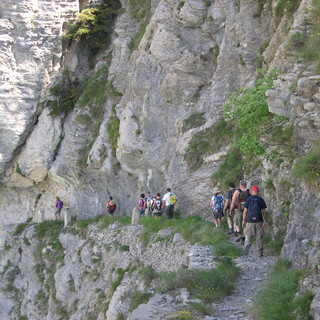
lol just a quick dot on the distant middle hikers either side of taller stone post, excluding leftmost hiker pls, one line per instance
(151, 204)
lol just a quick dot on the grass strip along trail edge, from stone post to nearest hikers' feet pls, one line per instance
(194, 230)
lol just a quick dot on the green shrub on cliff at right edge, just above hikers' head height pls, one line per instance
(308, 167)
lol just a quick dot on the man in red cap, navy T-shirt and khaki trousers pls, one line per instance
(254, 220)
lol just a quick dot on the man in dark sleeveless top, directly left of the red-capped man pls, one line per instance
(237, 207)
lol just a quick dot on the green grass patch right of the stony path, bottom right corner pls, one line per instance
(276, 300)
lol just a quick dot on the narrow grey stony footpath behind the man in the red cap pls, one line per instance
(254, 271)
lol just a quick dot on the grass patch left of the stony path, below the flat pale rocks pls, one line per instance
(207, 285)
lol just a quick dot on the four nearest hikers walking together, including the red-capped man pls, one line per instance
(245, 210)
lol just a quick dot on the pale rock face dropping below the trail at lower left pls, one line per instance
(80, 274)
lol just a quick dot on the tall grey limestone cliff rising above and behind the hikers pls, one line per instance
(165, 63)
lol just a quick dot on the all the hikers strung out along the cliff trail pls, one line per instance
(244, 209)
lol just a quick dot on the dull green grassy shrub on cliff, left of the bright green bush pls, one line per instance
(207, 141)
